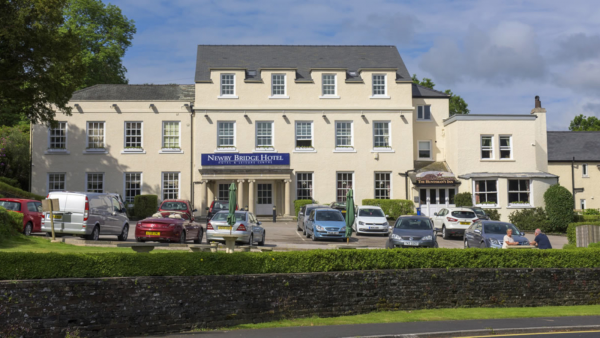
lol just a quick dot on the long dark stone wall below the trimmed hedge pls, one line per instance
(132, 306)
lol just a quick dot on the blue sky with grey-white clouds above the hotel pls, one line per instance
(497, 55)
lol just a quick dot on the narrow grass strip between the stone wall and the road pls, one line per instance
(434, 315)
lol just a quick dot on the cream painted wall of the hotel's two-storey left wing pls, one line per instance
(113, 164)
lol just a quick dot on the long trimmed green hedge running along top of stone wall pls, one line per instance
(26, 265)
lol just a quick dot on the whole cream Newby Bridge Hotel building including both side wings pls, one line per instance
(294, 122)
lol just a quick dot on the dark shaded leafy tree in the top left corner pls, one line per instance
(40, 63)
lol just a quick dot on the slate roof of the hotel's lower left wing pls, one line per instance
(126, 92)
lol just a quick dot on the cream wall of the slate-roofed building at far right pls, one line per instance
(590, 184)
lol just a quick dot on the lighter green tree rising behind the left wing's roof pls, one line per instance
(105, 34)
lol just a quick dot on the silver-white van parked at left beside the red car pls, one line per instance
(88, 214)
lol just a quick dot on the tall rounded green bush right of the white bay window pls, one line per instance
(559, 208)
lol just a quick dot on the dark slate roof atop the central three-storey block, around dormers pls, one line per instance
(302, 58)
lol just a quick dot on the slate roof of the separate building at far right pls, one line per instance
(583, 145)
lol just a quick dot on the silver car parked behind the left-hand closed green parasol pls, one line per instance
(246, 226)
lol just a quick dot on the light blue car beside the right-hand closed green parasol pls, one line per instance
(325, 224)
